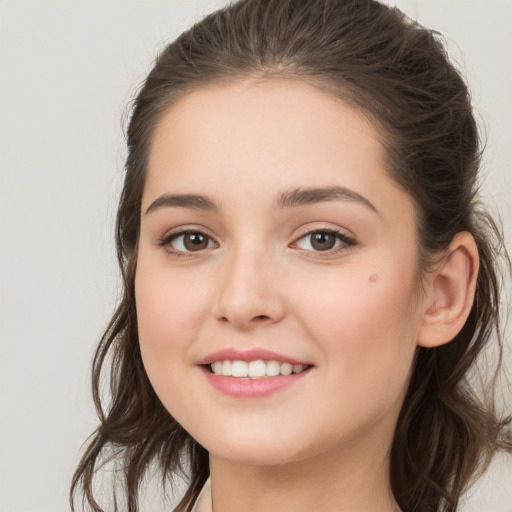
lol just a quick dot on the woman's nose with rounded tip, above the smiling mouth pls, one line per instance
(249, 293)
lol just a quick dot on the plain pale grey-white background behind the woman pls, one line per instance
(67, 71)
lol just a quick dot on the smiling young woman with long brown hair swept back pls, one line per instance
(308, 274)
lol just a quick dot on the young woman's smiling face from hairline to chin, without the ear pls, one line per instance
(273, 241)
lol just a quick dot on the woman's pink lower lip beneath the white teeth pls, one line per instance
(251, 388)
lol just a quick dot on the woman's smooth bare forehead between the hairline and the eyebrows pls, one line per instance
(249, 136)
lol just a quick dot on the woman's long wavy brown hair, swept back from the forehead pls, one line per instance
(398, 74)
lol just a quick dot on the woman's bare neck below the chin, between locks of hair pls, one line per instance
(328, 482)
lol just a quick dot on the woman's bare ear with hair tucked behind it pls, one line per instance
(450, 291)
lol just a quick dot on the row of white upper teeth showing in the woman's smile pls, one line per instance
(255, 369)
